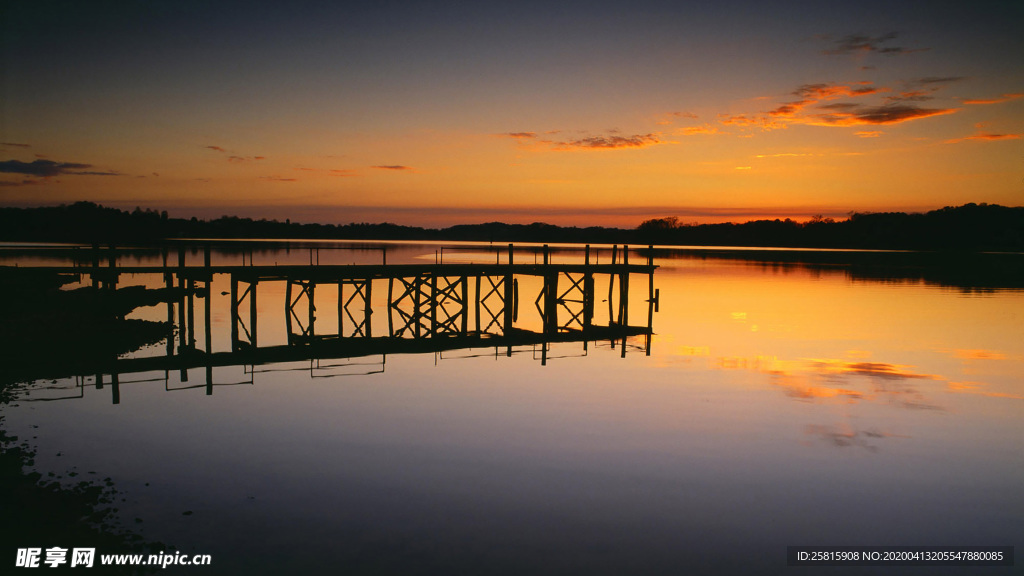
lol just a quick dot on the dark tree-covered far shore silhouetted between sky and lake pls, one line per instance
(971, 228)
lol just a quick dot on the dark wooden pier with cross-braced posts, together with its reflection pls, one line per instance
(430, 309)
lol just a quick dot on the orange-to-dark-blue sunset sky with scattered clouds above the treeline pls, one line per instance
(571, 113)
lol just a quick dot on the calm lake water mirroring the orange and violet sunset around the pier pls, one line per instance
(780, 405)
